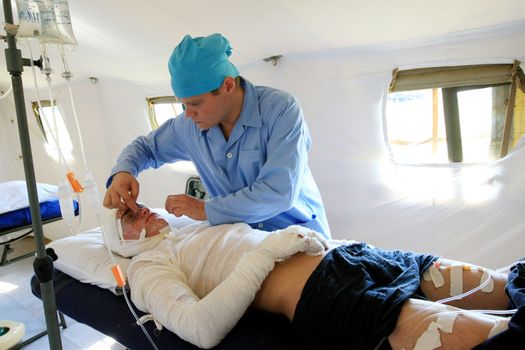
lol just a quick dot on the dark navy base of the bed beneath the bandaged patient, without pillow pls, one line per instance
(108, 313)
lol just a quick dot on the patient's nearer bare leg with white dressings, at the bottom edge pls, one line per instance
(427, 325)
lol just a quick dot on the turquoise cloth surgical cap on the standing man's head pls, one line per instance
(199, 65)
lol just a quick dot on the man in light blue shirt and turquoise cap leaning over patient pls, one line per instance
(249, 144)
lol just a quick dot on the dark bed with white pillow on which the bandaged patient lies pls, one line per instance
(86, 292)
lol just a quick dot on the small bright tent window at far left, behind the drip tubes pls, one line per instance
(51, 123)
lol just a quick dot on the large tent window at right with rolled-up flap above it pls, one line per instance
(465, 114)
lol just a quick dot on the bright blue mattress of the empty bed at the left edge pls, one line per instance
(22, 217)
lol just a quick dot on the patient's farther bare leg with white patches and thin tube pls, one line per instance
(457, 278)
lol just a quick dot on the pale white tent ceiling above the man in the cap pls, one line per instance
(132, 39)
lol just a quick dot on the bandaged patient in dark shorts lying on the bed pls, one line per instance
(199, 281)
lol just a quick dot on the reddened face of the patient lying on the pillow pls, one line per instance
(133, 223)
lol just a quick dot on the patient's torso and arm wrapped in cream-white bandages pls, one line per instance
(200, 280)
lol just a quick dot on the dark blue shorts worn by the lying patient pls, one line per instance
(353, 298)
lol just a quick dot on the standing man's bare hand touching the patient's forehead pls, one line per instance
(123, 193)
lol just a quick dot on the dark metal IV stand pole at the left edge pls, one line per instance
(43, 264)
